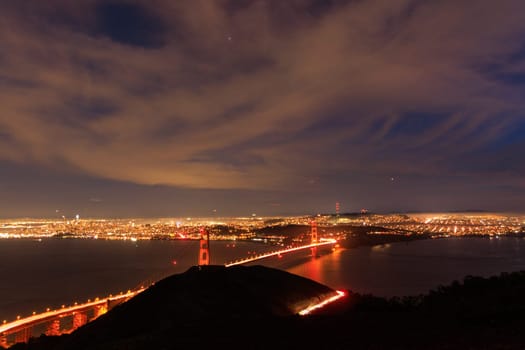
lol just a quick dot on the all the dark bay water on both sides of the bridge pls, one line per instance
(36, 275)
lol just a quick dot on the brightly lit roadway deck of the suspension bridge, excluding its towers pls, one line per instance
(22, 324)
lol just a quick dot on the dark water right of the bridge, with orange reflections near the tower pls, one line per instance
(415, 267)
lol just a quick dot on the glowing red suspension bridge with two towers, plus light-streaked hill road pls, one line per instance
(67, 319)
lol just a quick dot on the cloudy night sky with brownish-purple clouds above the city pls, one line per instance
(230, 107)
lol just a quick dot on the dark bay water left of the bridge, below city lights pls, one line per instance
(36, 275)
